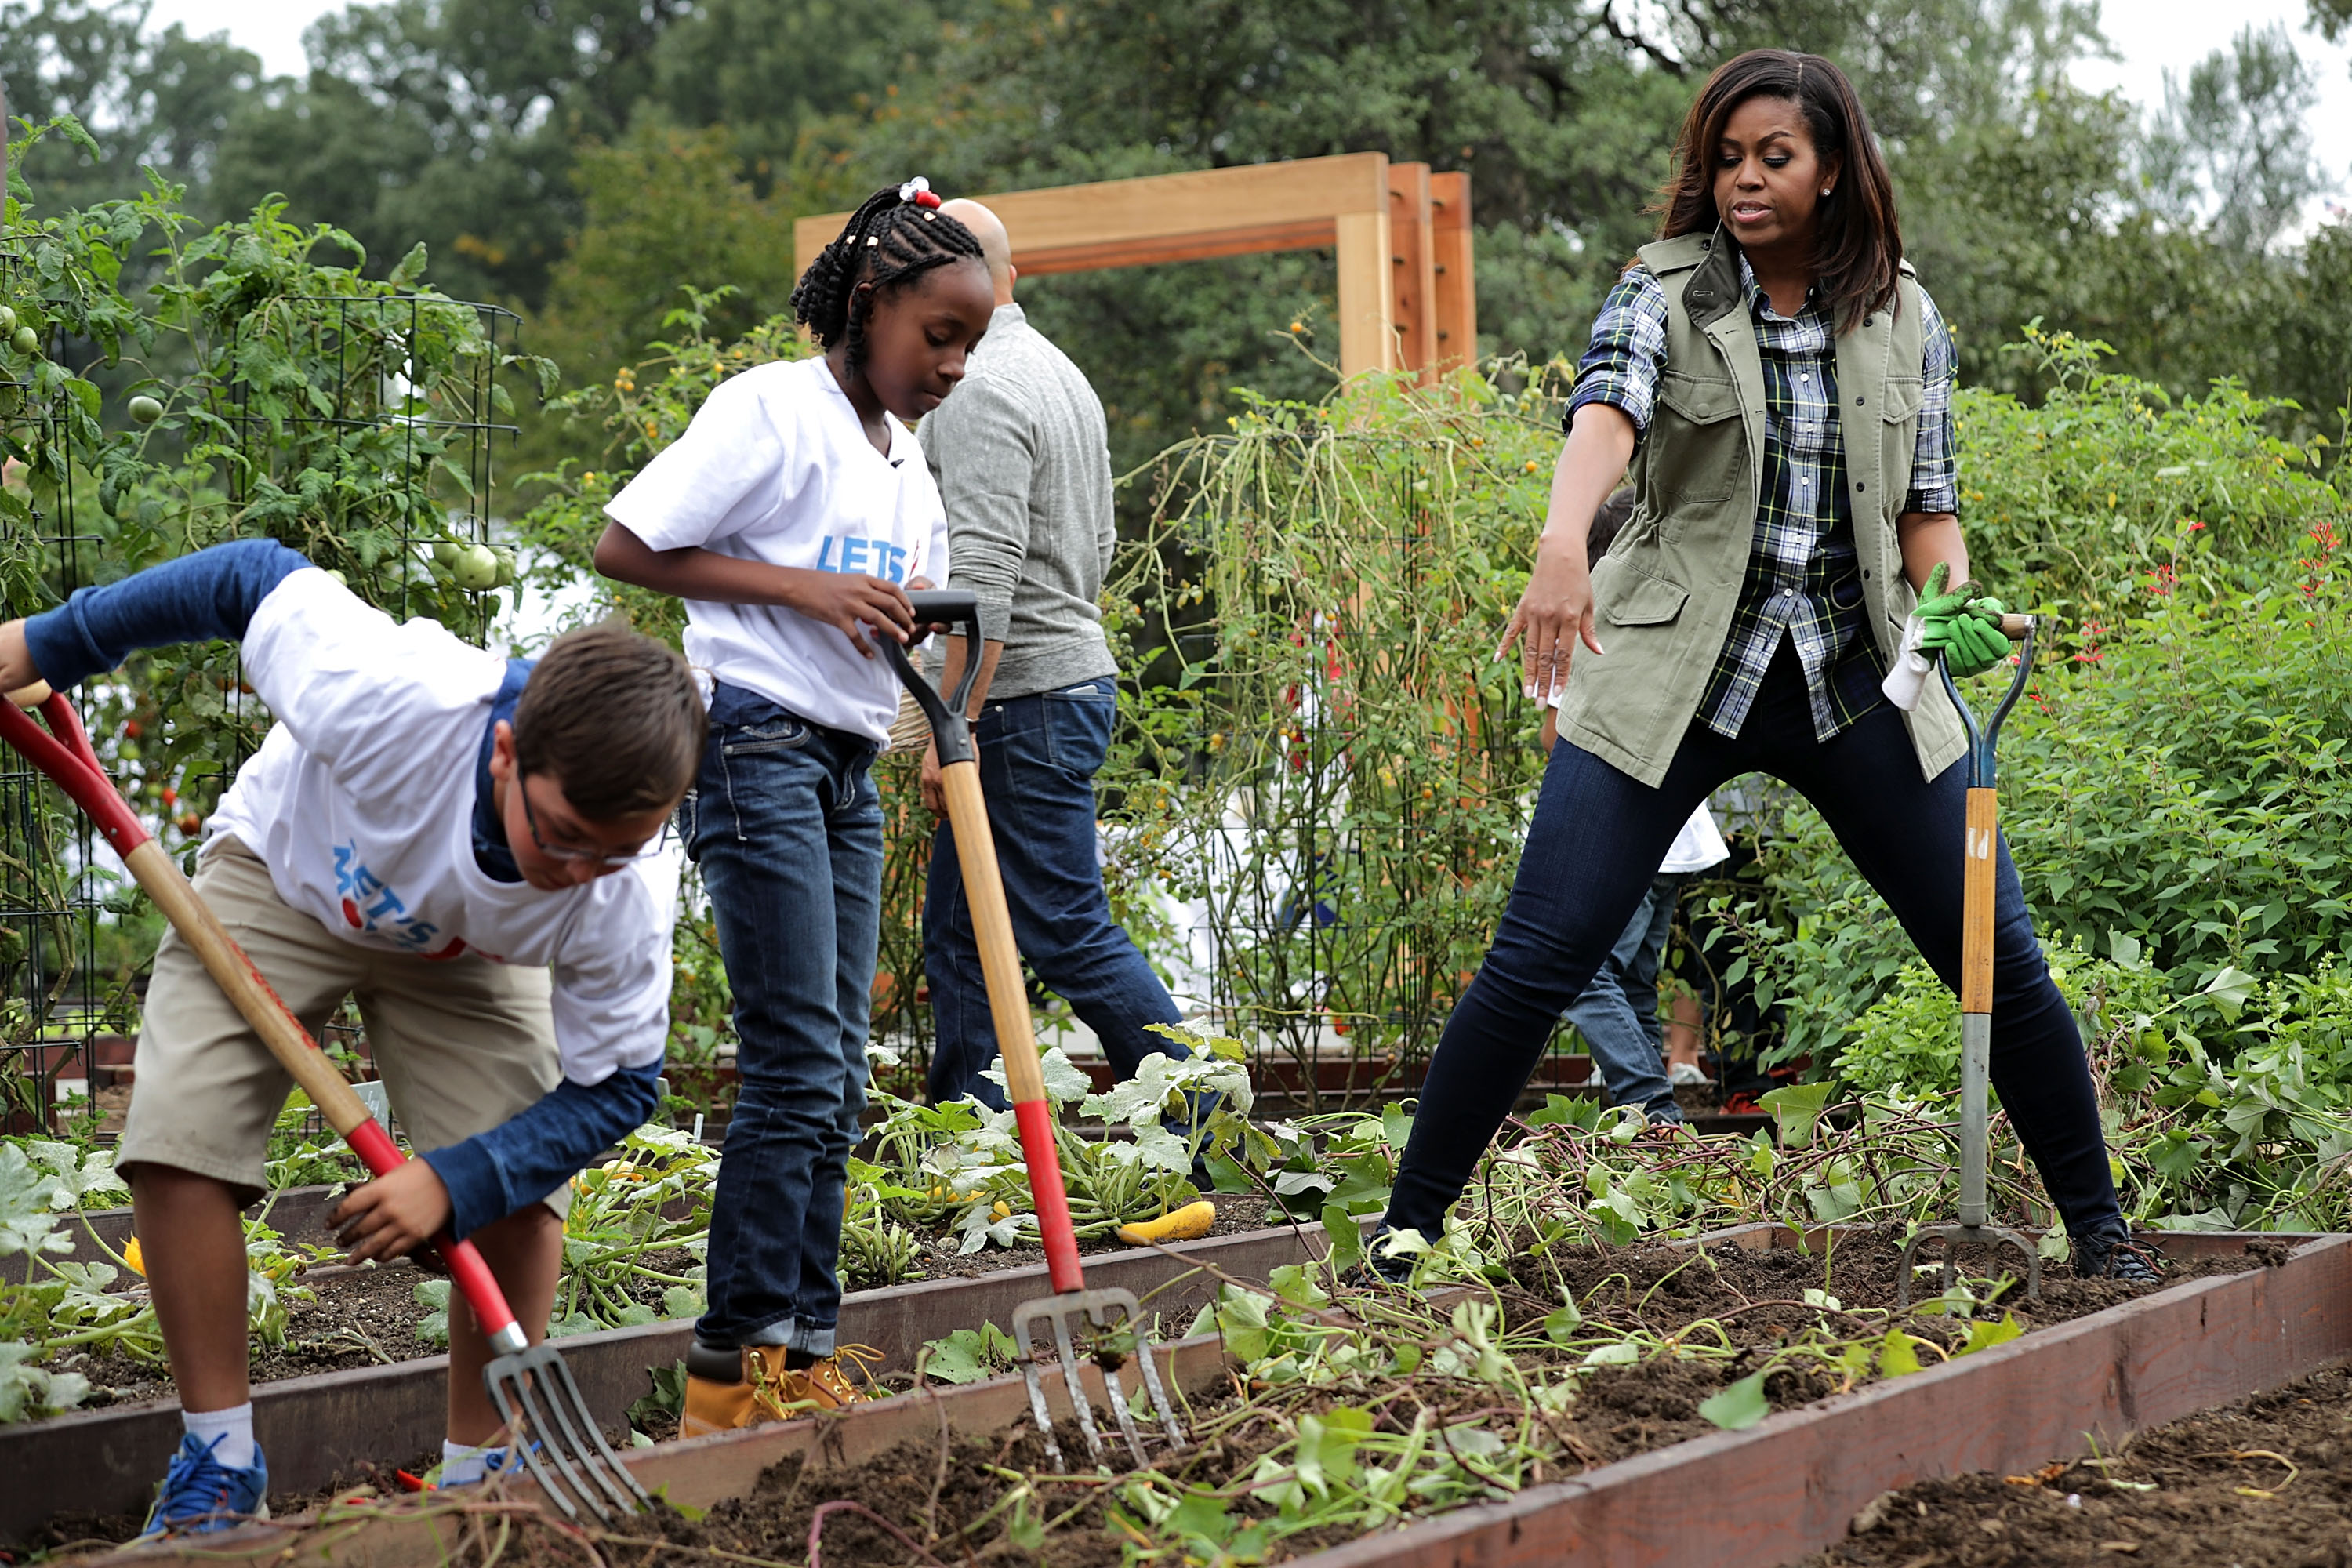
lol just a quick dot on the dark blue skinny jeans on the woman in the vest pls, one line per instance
(1591, 855)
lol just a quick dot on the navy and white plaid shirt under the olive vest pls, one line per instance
(1803, 575)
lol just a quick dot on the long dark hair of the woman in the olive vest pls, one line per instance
(1859, 241)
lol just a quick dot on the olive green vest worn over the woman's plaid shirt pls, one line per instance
(1666, 591)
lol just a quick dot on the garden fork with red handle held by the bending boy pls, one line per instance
(533, 1388)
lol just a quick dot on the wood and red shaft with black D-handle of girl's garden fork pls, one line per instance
(991, 920)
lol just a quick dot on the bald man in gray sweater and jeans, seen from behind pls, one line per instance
(1024, 467)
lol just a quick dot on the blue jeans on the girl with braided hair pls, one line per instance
(787, 826)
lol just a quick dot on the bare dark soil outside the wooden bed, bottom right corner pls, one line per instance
(2259, 1485)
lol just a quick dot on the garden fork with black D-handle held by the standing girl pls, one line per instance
(1116, 1318)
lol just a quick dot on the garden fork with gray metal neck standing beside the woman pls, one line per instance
(1977, 991)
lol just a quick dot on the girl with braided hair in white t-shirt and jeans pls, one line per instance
(791, 518)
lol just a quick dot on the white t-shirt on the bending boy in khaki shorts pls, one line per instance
(361, 803)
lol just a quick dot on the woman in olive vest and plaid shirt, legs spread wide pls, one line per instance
(1782, 391)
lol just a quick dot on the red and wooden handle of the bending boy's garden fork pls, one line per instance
(67, 758)
